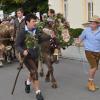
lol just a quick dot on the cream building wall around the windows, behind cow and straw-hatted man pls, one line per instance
(77, 10)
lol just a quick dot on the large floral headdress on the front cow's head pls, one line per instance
(58, 29)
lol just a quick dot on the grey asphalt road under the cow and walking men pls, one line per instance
(70, 75)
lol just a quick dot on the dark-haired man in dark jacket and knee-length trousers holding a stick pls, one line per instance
(29, 52)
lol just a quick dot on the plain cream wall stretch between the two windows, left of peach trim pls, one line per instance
(75, 13)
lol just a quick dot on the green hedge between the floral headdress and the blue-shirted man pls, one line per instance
(75, 33)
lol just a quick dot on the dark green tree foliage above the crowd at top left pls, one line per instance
(28, 5)
